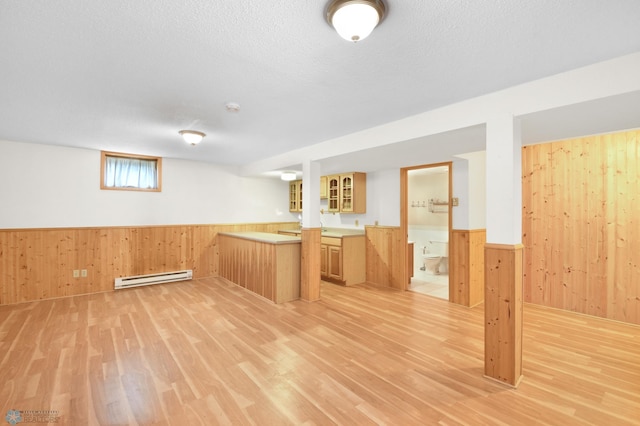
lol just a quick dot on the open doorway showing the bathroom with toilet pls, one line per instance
(427, 220)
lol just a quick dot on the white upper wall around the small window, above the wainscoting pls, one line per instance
(50, 186)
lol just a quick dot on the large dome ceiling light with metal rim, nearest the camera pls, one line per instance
(354, 20)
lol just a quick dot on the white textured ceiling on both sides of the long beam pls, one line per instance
(127, 75)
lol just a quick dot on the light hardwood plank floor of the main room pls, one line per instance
(208, 352)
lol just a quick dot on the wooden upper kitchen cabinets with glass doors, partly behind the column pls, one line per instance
(345, 193)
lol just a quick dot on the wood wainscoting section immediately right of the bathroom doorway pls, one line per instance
(466, 272)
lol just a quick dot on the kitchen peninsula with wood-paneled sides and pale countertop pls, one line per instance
(264, 263)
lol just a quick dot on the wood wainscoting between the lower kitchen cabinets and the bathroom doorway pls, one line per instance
(386, 256)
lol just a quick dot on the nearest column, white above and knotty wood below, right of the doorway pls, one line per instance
(503, 252)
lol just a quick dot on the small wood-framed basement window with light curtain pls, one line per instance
(130, 172)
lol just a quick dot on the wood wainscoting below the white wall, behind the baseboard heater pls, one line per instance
(38, 263)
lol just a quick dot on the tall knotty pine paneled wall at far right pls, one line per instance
(581, 225)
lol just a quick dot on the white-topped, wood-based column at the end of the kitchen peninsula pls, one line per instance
(311, 230)
